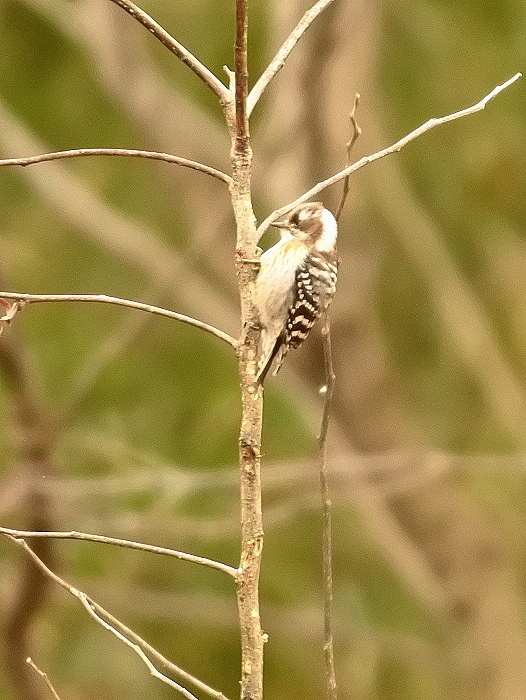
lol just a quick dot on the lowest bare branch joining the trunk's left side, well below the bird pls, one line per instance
(72, 535)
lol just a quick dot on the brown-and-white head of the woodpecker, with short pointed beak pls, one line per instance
(311, 223)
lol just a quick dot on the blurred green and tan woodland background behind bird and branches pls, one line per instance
(122, 424)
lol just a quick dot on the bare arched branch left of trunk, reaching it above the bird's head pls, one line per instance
(153, 155)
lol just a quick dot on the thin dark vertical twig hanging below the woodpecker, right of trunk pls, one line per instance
(328, 638)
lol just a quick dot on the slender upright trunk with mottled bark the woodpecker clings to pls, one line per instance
(247, 265)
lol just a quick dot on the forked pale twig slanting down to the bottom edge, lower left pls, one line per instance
(131, 639)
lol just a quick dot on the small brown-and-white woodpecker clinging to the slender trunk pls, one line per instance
(296, 282)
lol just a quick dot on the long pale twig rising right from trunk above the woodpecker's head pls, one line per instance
(430, 124)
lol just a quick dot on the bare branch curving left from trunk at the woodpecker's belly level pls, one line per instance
(104, 299)
